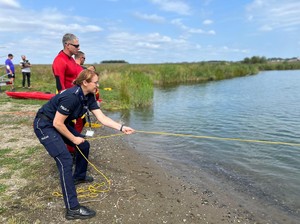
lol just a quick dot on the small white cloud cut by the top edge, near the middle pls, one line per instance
(179, 7)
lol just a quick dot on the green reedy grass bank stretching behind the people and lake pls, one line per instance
(124, 86)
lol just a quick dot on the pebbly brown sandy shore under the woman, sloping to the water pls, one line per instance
(142, 190)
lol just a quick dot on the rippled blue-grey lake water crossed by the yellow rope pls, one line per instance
(260, 107)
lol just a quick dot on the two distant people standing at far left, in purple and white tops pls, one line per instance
(10, 71)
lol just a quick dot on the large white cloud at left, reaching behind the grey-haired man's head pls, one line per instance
(40, 38)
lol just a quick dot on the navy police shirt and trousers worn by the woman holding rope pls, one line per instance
(74, 104)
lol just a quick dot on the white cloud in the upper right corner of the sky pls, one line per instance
(274, 14)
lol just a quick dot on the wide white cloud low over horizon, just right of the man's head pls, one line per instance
(147, 48)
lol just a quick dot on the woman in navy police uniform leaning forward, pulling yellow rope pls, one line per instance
(51, 126)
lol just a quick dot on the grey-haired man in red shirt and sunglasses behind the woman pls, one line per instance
(66, 70)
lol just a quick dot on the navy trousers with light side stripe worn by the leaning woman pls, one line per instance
(55, 144)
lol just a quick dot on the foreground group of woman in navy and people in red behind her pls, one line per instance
(76, 87)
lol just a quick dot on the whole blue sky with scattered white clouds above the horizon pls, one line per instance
(151, 31)
